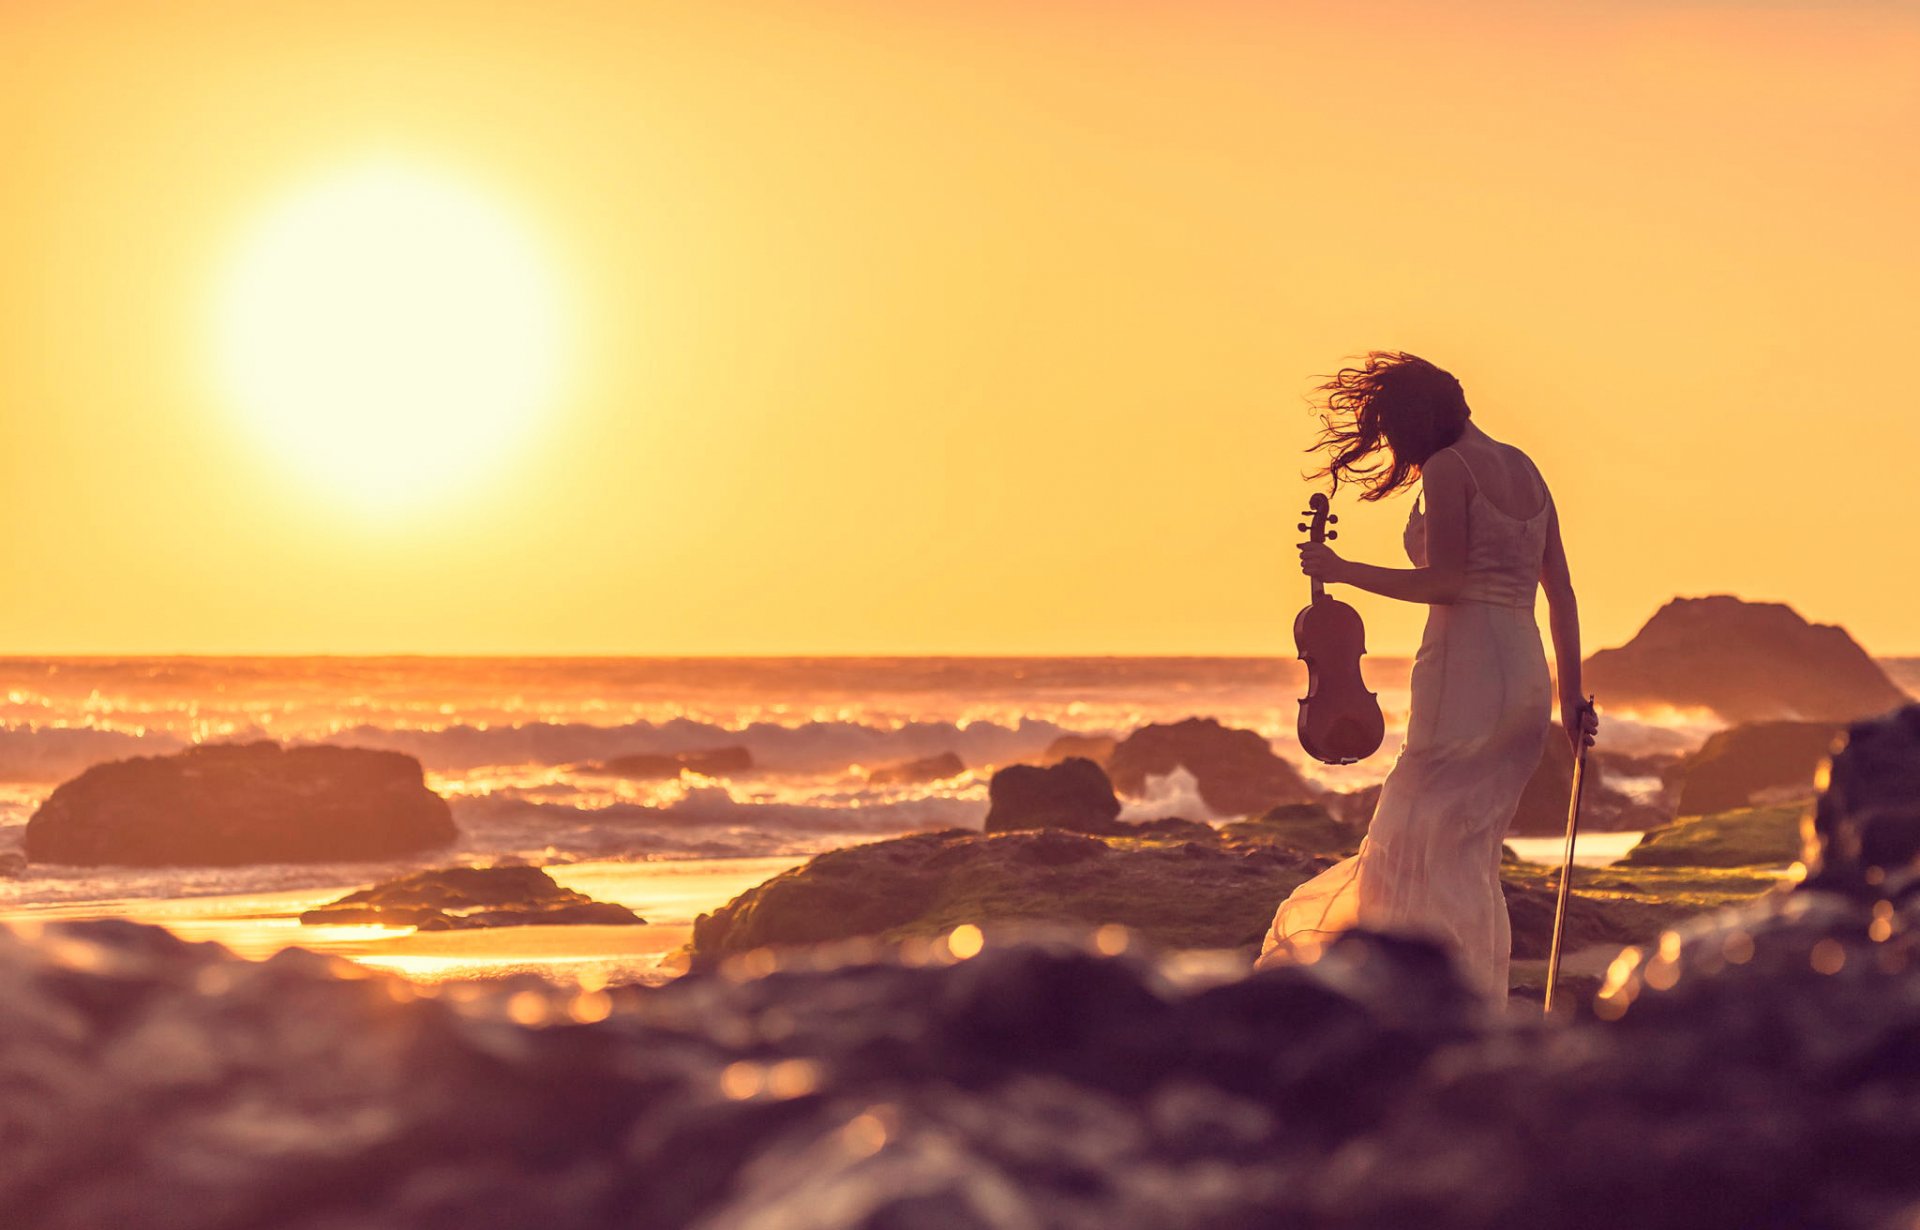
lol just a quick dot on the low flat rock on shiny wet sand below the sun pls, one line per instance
(458, 899)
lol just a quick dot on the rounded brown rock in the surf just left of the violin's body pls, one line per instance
(1236, 770)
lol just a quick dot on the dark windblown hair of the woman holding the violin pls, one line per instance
(1395, 404)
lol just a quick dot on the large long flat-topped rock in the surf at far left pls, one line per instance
(228, 805)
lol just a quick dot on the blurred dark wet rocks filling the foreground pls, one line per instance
(1742, 1083)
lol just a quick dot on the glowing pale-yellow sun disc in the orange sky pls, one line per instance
(391, 333)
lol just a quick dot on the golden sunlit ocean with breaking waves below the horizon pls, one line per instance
(510, 744)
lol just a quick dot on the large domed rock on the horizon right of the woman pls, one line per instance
(1746, 661)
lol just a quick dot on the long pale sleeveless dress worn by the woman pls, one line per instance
(1479, 719)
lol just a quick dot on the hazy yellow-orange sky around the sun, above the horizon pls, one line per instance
(972, 327)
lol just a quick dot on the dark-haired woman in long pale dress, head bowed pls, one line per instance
(1487, 536)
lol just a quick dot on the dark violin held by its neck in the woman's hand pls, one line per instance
(1339, 719)
